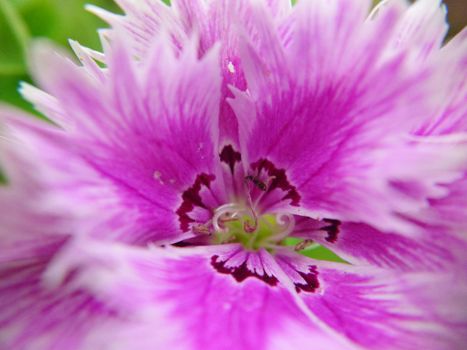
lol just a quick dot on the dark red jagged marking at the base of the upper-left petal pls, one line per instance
(191, 198)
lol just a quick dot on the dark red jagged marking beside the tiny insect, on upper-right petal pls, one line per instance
(278, 180)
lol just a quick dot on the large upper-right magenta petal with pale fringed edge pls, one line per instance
(335, 116)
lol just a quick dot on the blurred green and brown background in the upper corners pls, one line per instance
(23, 20)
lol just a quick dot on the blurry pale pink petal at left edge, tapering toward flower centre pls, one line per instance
(38, 151)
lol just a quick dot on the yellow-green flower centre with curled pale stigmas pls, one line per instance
(233, 223)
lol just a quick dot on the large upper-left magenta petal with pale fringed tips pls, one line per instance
(148, 131)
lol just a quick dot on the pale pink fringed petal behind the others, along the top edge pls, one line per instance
(143, 20)
